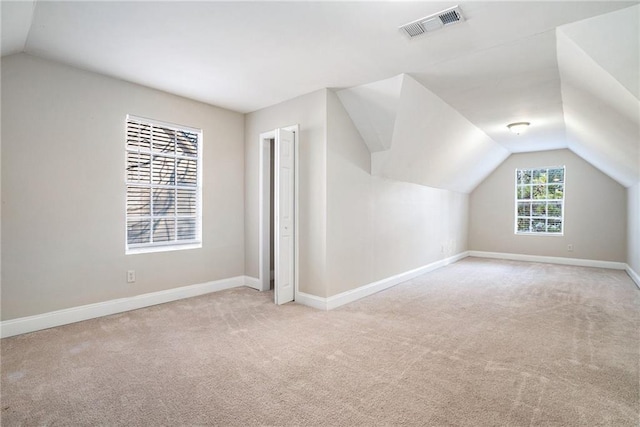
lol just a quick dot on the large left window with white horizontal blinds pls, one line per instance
(163, 186)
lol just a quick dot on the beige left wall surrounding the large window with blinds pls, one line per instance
(63, 193)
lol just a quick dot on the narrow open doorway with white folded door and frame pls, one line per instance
(278, 213)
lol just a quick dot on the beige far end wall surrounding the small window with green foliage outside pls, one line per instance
(595, 211)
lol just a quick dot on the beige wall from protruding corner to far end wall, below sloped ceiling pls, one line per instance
(376, 227)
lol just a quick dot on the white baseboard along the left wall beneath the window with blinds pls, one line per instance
(38, 322)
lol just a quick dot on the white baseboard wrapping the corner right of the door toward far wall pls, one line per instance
(363, 291)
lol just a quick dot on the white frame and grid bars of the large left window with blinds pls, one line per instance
(175, 244)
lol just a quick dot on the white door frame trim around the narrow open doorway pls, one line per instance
(264, 190)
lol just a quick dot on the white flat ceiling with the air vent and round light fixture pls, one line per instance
(497, 67)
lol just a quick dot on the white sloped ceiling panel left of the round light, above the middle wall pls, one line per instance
(434, 145)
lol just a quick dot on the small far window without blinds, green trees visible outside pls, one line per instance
(540, 201)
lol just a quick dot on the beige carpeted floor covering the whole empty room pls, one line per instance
(477, 343)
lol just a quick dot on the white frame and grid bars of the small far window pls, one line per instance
(546, 200)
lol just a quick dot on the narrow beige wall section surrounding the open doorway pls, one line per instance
(308, 111)
